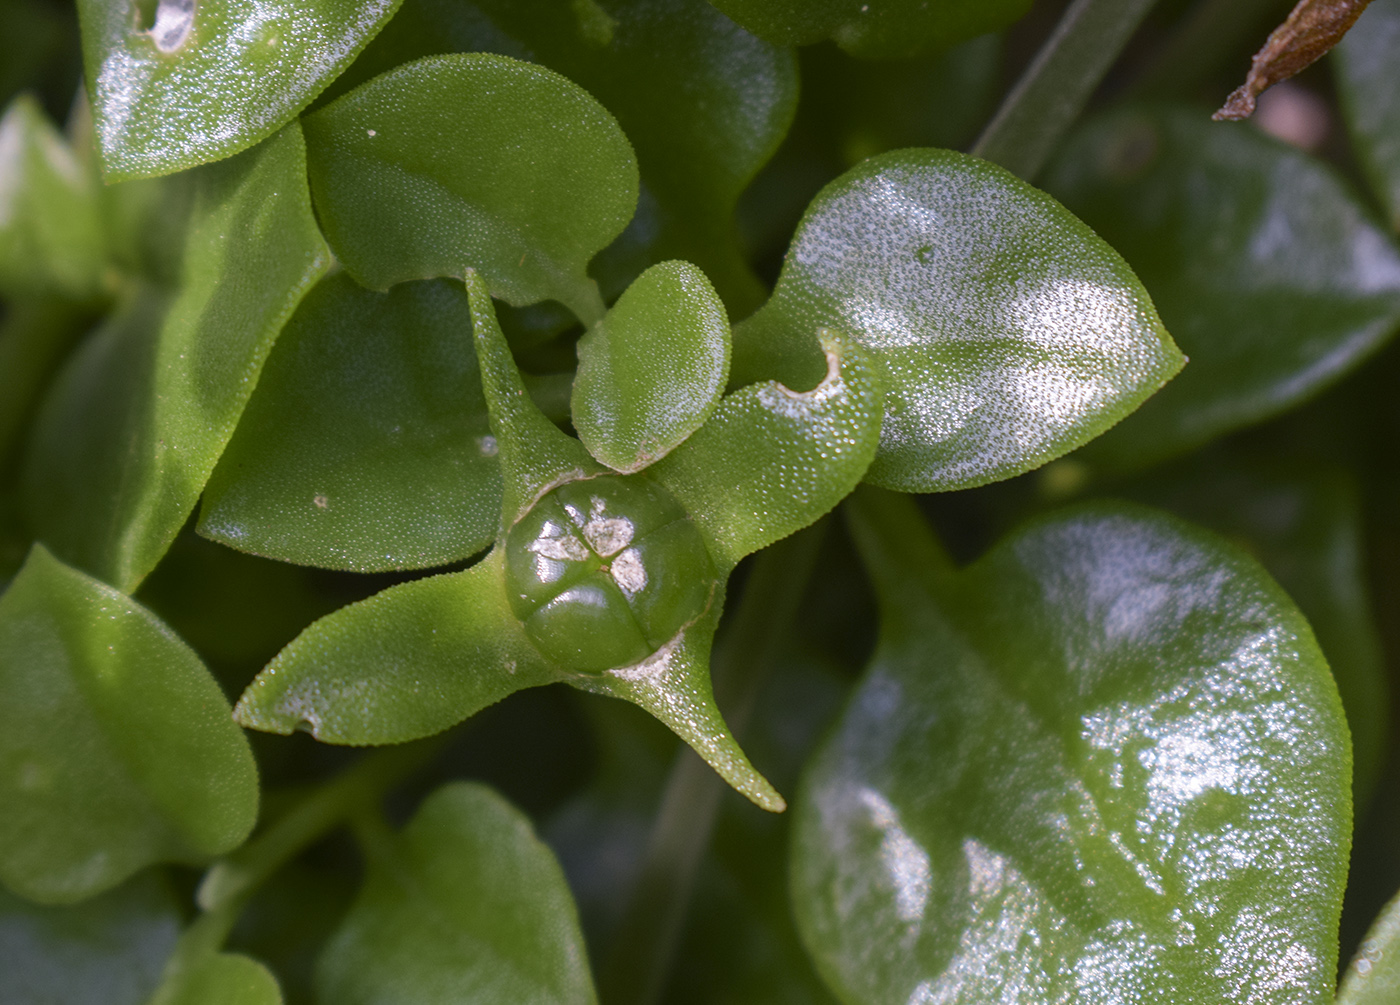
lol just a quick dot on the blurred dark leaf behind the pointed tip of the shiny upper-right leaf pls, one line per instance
(1263, 265)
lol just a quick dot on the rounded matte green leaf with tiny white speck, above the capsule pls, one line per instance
(474, 162)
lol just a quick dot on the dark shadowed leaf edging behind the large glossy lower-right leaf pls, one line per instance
(1304, 523)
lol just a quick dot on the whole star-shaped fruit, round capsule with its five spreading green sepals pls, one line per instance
(611, 576)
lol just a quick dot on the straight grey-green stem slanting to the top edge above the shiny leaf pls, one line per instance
(1058, 85)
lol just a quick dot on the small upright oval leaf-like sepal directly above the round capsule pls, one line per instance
(653, 370)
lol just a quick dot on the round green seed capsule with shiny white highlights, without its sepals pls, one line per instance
(605, 572)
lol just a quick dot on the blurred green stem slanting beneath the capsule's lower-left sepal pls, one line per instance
(321, 813)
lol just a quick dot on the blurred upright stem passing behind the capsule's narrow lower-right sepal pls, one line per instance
(646, 940)
